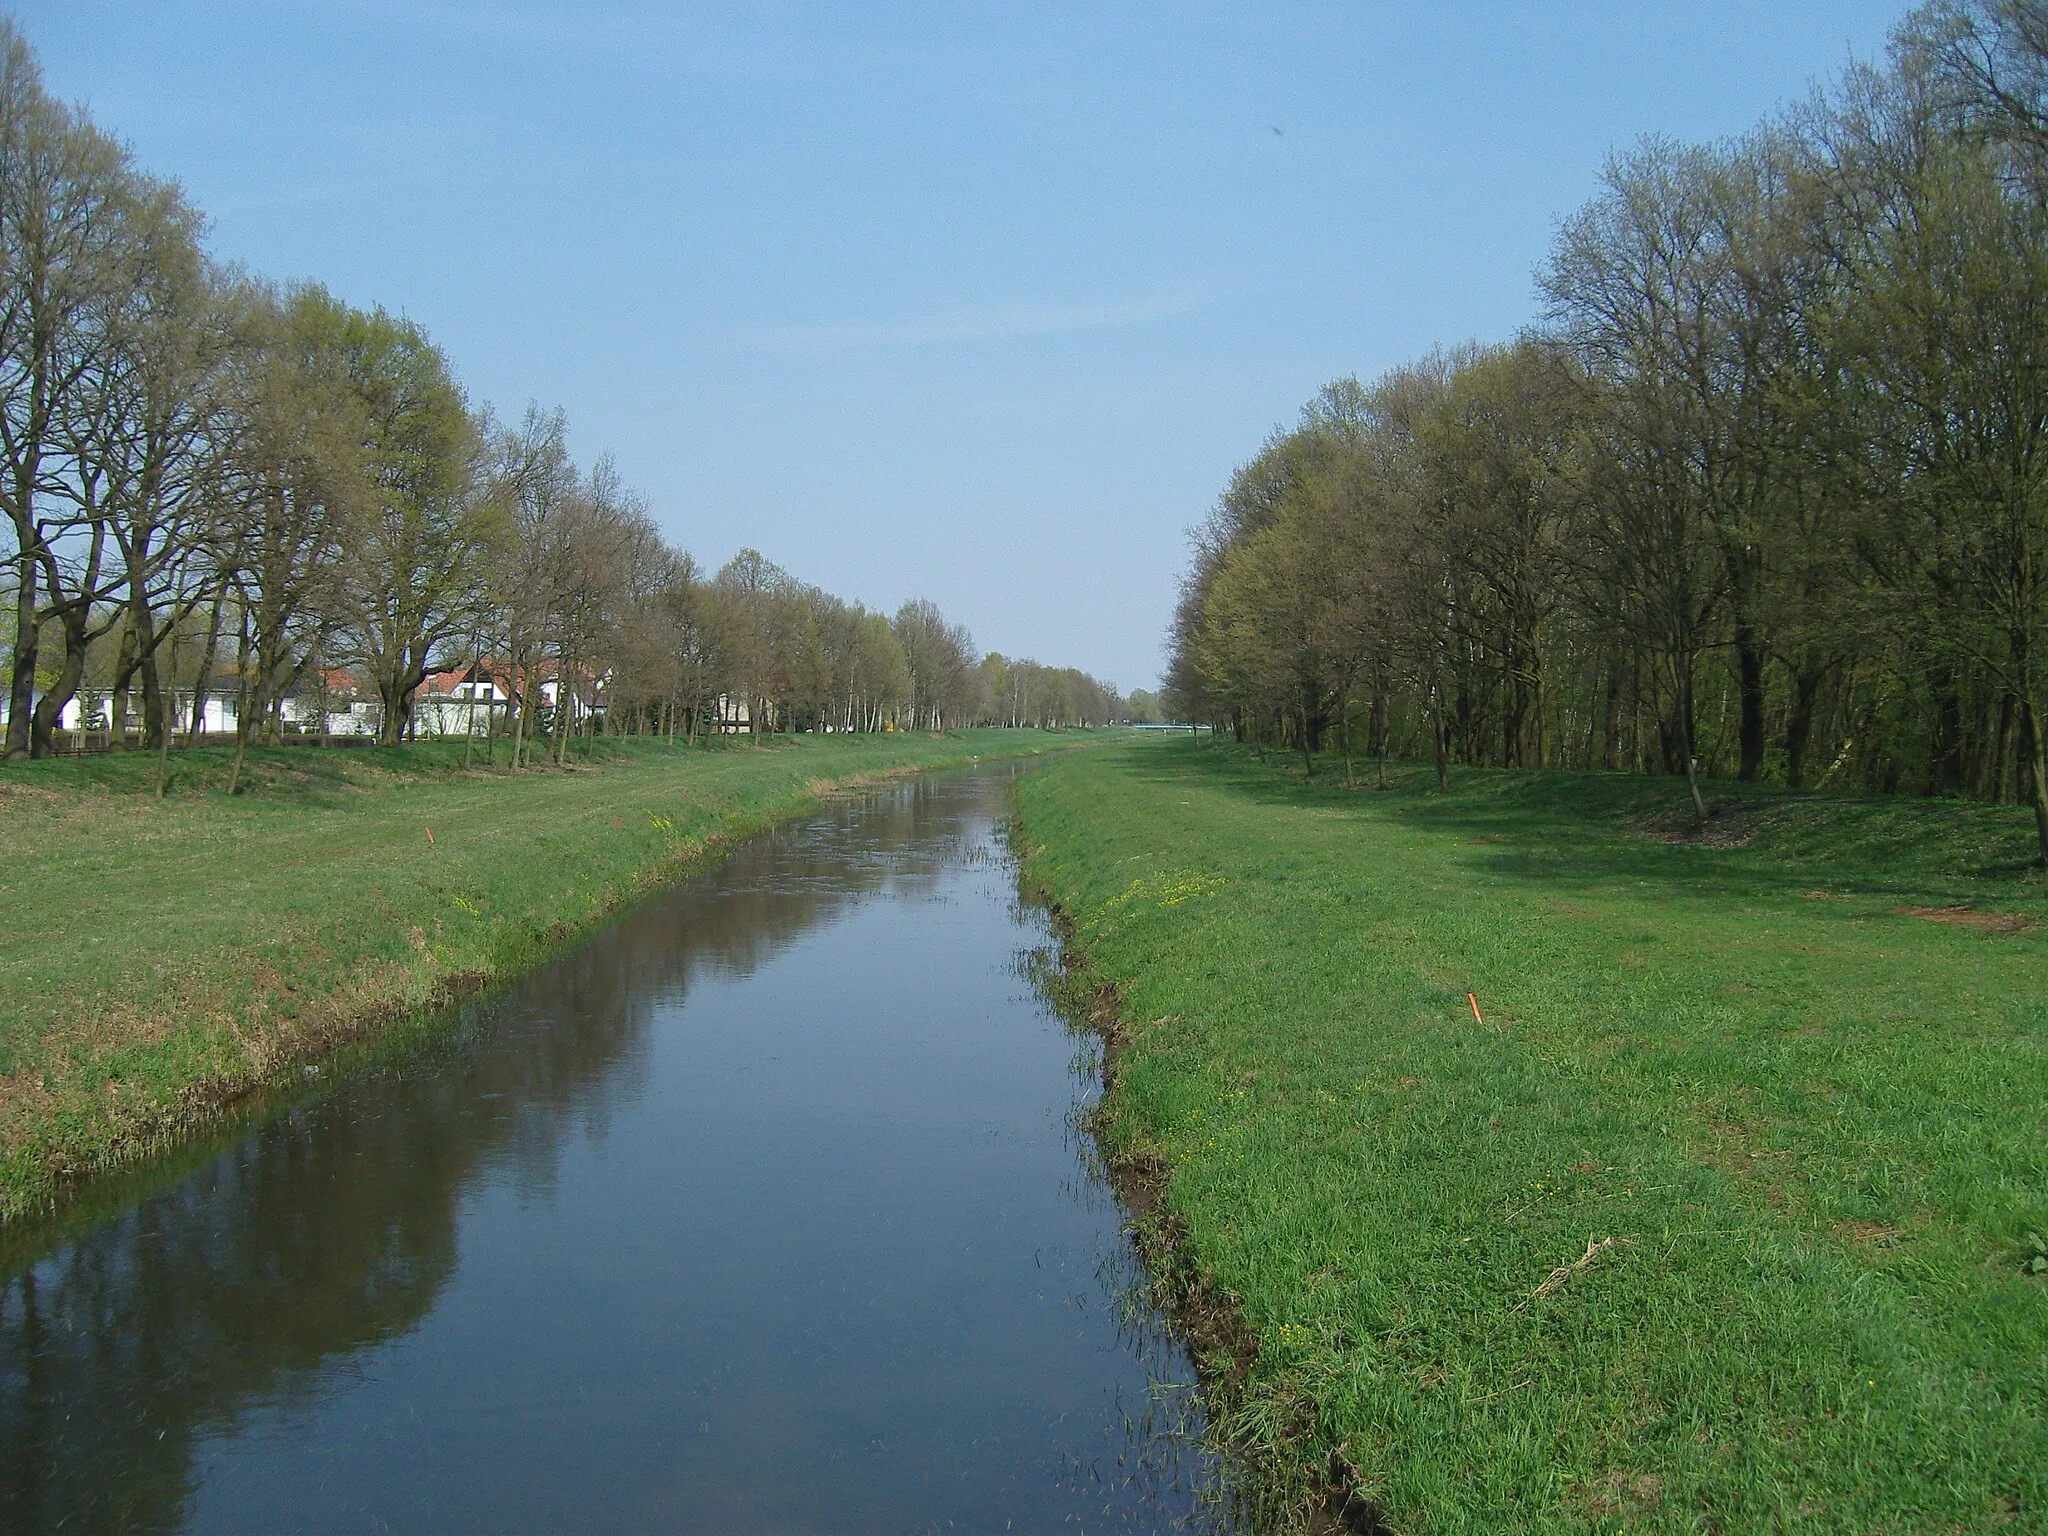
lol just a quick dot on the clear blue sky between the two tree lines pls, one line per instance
(970, 302)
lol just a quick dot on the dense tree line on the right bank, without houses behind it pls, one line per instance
(1762, 497)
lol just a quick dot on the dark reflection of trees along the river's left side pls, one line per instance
(333, 1228)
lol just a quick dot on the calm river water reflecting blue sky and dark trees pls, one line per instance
(763, 1211)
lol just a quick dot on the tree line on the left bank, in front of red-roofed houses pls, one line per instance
(228, 486)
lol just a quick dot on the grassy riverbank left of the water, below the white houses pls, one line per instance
(165, 957)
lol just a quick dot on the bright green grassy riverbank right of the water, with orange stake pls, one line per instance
(1719, 1218)
